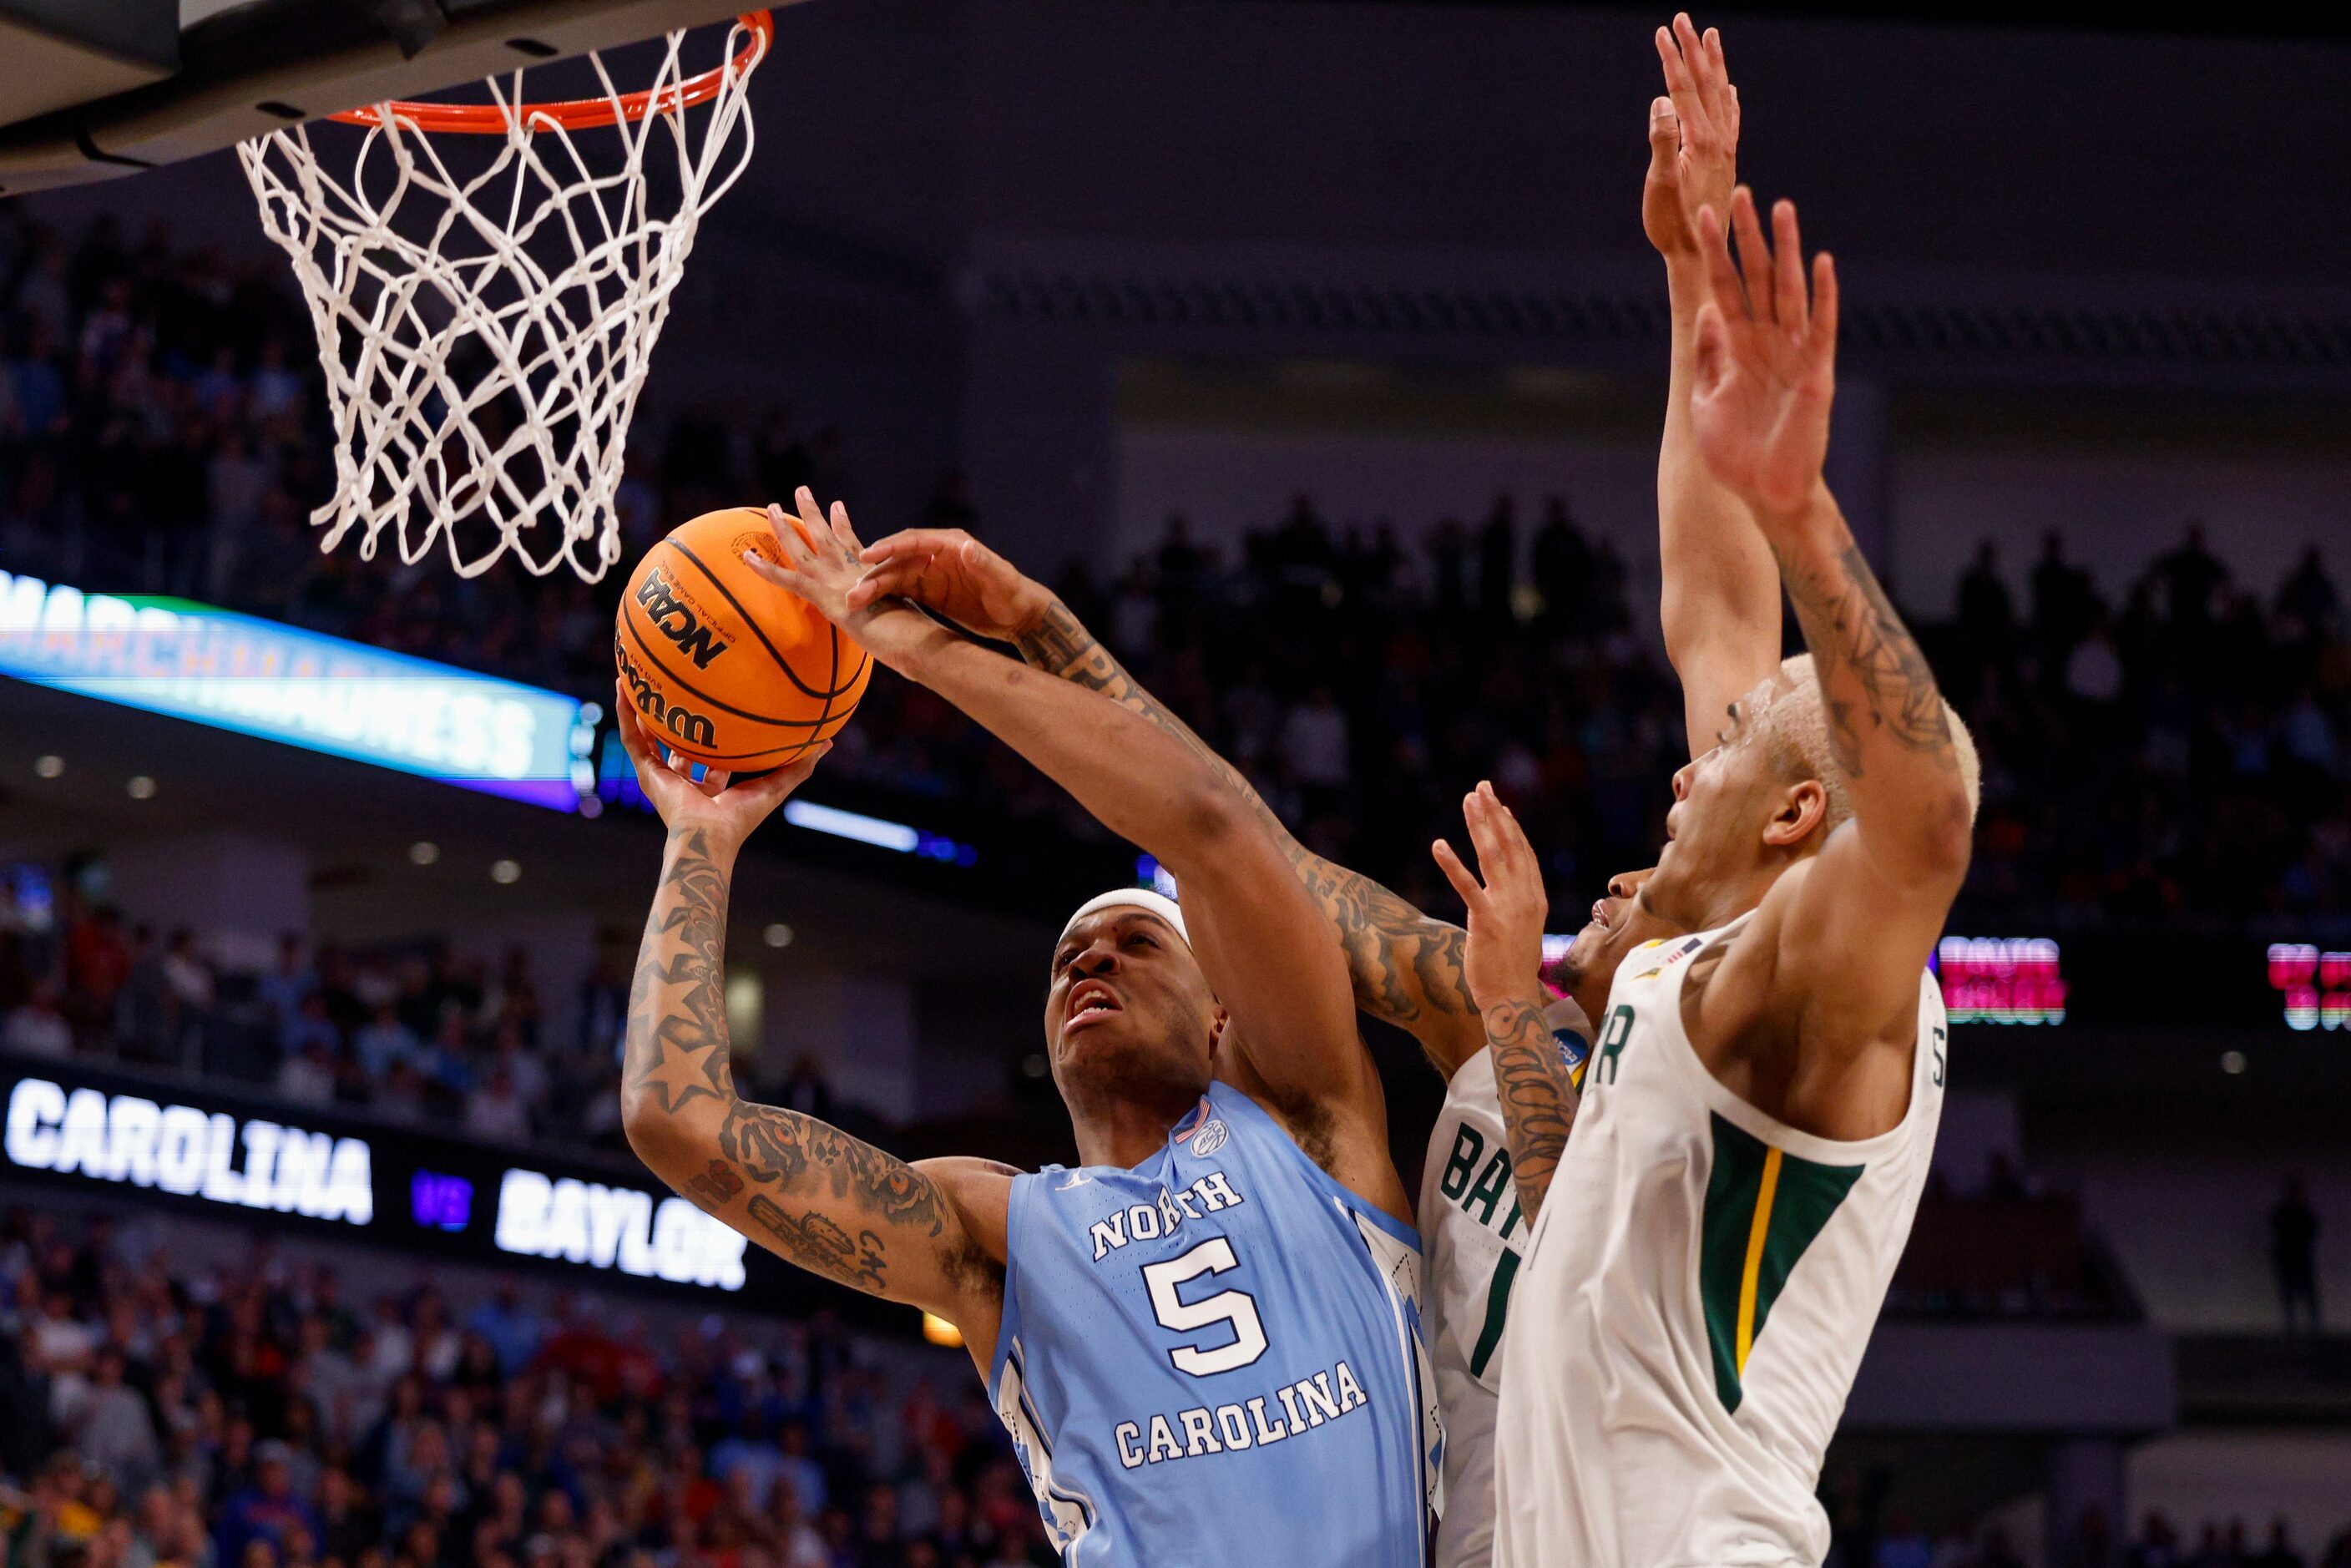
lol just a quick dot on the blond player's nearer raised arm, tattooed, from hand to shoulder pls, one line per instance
(1858, 925)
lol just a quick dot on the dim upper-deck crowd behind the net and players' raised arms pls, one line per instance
(2181, 751)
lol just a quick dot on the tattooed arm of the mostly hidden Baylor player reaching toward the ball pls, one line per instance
(1405, 967)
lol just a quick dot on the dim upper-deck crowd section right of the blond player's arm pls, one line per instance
(2178, 756)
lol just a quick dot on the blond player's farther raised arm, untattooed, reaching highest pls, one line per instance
(1722, 589)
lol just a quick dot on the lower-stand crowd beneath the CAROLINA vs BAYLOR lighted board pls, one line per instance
(166, 1414)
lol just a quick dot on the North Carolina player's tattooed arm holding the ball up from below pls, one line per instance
(927, 1235)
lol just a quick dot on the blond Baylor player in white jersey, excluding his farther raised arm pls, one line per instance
(1762, 1099)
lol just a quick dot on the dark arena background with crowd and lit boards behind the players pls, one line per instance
(1313, 351)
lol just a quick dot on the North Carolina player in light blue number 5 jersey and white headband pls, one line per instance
(1207, 1329)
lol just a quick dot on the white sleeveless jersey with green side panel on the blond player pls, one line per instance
(1696, 1306)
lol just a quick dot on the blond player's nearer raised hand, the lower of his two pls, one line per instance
(1767, 361)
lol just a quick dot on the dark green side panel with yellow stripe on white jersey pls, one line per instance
(1764, 1209)
